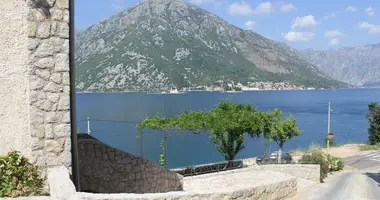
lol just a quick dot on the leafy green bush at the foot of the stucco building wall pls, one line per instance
(18, 177)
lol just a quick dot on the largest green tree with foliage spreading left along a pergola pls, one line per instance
(226, 122)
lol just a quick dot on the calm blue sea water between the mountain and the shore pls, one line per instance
(114, 117)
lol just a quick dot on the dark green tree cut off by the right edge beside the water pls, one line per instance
(374, 123)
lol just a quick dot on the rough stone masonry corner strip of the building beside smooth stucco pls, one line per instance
(49, 83)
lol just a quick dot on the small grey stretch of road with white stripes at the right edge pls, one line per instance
(364, 161)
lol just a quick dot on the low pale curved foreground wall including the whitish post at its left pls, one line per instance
(61, 188)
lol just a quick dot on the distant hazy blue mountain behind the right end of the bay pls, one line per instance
(359, 65)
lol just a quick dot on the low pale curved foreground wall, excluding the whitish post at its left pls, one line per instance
(281, 189)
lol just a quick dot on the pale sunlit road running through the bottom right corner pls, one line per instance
(363, 184)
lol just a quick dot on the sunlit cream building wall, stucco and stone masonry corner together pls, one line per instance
(35, 77)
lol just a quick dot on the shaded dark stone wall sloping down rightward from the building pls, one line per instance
(104, 169)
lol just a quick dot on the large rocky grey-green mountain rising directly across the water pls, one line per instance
(159, 44)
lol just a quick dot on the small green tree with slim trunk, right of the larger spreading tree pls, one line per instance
(274, 129)
